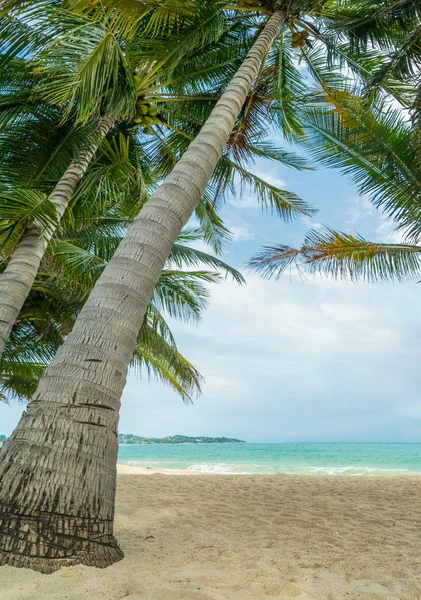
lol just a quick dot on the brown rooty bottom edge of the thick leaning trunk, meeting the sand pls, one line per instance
(95, 556)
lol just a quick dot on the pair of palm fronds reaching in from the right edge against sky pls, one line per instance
(375, 144)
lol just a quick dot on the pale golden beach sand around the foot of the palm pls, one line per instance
(242, 537)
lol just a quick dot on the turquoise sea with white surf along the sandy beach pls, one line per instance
(309, 458)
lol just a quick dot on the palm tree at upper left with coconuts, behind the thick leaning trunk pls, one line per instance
(99, 77)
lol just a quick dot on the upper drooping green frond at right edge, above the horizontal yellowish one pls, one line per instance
(374, 145)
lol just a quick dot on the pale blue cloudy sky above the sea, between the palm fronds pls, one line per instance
(295, 359)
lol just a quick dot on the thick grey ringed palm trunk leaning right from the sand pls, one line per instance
(58, 470)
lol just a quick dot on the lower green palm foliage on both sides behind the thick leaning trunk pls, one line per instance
(90, 231)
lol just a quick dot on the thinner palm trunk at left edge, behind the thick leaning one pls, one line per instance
(18, 277)
